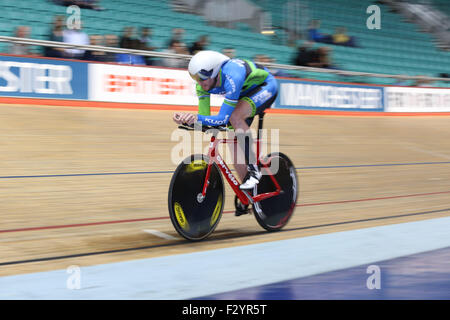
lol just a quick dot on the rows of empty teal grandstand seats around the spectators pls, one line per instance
(397, 48)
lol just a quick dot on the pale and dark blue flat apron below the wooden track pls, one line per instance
(413, 259)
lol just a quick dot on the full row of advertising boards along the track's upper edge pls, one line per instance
(87, 83)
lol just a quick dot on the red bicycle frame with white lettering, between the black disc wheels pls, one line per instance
(244, 197)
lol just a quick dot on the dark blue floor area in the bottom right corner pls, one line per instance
(420, 276)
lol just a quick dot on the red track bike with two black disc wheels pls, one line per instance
(197, 193)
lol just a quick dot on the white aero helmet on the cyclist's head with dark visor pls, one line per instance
(206, 64)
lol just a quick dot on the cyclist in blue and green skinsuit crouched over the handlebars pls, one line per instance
(248, 88)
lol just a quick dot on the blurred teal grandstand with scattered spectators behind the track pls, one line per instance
(408, 38)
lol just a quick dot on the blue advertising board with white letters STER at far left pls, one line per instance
(41, 78)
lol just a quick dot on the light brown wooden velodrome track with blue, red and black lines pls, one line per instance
(79, 186)
